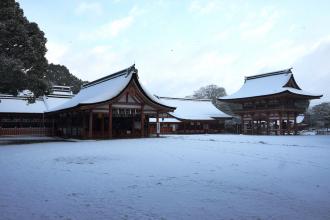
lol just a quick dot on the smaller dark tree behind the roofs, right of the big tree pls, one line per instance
(60, 75)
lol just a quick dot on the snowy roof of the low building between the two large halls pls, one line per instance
(194, 109)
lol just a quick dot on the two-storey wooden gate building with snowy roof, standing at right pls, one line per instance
(270, 103)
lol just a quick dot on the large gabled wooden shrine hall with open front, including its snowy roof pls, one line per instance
(115, 106)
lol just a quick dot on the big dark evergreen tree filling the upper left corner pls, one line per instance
(22, 52)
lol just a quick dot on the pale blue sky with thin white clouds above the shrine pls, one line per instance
(179, 46)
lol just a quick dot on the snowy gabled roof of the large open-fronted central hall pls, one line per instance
(108, 88)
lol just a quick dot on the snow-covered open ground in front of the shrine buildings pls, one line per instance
(176, 177)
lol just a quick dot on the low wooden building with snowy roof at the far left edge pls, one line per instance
(19, 117)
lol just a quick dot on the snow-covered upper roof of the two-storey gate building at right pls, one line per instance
(269, 84)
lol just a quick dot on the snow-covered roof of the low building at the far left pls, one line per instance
(20, 104)
